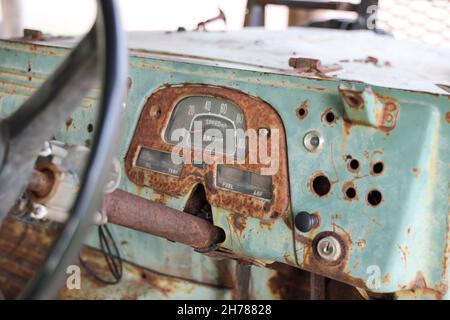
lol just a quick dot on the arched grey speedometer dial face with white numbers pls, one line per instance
(210, 123)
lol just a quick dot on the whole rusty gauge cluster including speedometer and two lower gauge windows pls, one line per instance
(199, 134)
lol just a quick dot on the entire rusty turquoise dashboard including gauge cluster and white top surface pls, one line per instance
(360, 187)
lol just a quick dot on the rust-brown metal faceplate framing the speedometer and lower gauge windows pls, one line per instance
(257, 114)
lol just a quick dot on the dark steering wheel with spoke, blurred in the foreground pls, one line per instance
(100, 55)
